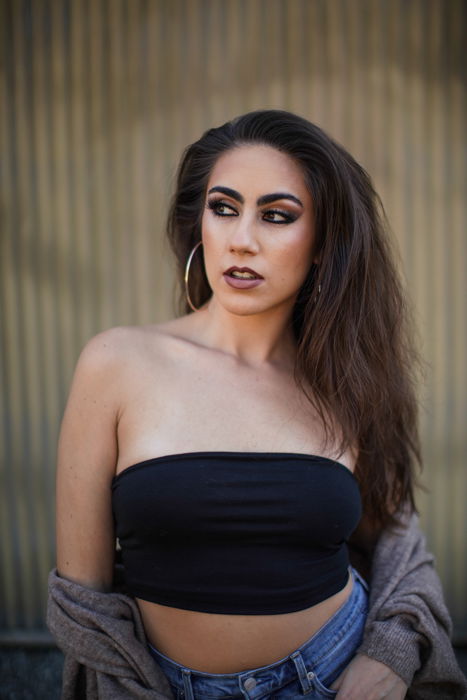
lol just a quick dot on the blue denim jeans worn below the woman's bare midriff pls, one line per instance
(308, 671)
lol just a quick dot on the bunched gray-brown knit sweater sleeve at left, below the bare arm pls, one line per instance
(103, 640)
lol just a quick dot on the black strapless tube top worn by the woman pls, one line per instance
(236, 532)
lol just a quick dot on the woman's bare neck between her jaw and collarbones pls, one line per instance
(254, 339)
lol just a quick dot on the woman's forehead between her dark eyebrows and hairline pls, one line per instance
(263, 168)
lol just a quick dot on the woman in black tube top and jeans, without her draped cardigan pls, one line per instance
(234, 450)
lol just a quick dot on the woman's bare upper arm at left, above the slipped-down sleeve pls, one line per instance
(87, 455)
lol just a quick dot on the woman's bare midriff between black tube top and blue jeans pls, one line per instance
(216, 643)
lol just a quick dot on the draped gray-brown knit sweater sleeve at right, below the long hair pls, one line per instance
(408, 626)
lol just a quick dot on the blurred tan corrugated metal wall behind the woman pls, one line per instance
(98, 100)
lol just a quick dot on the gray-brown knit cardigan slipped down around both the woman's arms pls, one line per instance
(408, 628)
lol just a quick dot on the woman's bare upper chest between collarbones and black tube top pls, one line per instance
(201, 403)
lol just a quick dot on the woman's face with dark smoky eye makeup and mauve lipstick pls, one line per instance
(257, 229)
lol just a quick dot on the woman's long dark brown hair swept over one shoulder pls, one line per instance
(350, 319)
